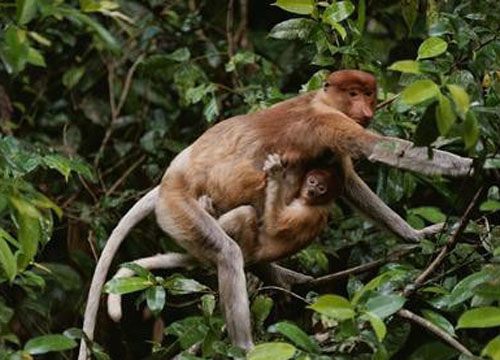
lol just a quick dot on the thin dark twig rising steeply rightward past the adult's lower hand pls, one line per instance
(449, 244)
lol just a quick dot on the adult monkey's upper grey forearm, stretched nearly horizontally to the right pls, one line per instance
(405, 155)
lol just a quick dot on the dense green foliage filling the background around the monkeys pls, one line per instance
(96, 97)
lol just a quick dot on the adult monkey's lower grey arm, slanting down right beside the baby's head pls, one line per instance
(367, 202)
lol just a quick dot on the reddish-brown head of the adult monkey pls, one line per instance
(354, 93)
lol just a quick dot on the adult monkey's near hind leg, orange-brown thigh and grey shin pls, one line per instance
(182, 217)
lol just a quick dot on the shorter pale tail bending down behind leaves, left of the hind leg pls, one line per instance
(159, 261)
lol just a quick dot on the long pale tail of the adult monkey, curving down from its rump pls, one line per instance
(138, 212)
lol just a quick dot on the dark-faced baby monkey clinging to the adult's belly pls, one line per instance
(284, 228)
